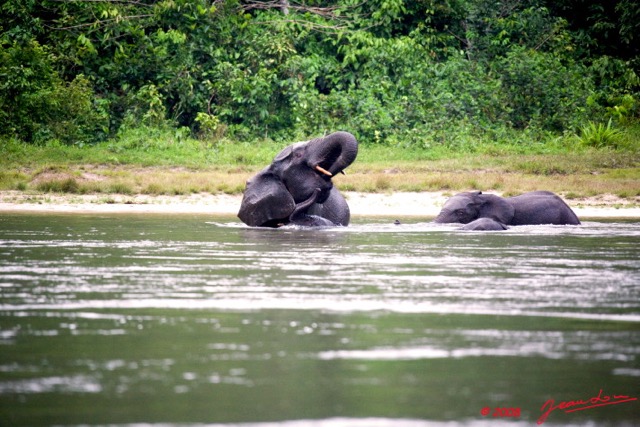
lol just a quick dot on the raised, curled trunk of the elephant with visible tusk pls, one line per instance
(333, 153)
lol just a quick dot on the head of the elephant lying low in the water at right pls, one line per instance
(467, 207)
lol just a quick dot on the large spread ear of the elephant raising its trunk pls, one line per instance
(266, 201)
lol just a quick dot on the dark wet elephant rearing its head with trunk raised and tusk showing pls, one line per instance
(296, 188)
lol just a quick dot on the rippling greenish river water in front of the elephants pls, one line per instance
(153, 320)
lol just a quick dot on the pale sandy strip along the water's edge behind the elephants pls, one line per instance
(424, 204)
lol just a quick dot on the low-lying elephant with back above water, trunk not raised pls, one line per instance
(536, 207)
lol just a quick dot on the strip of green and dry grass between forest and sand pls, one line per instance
(164, 163)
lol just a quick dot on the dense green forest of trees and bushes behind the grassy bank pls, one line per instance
(403, 73)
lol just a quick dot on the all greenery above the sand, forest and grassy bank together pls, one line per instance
(515, 94)
